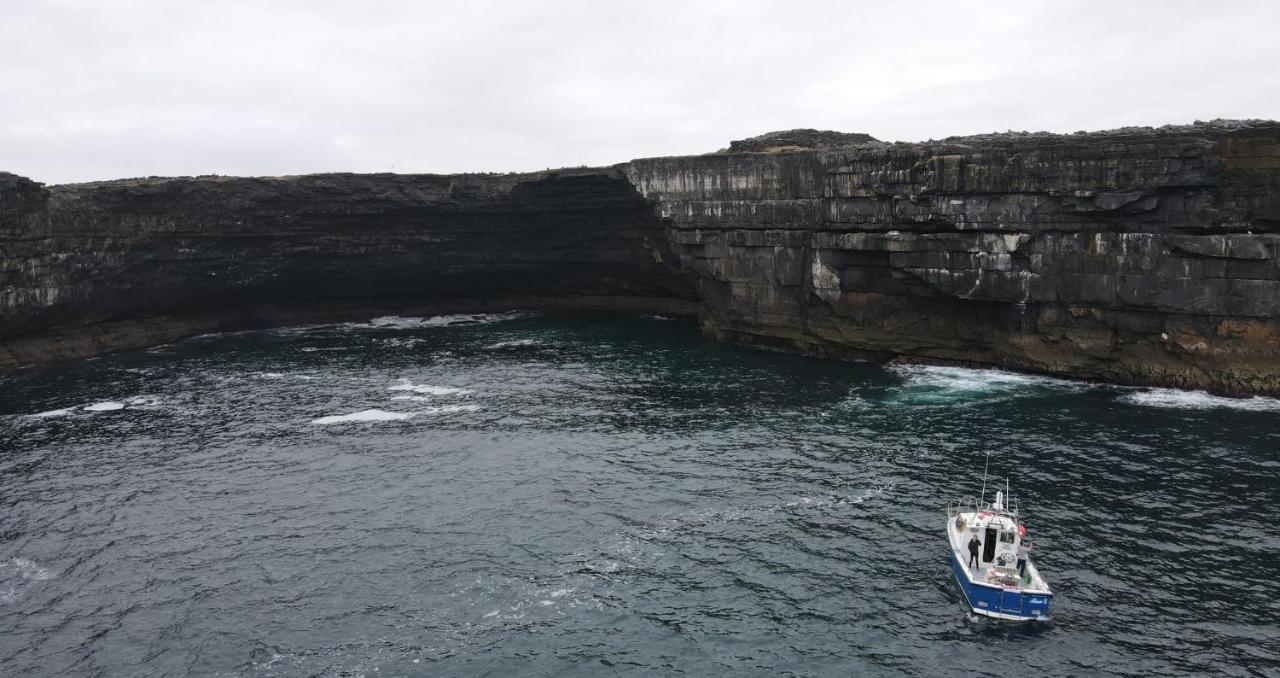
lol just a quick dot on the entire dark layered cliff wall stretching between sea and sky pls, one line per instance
(1140, 255)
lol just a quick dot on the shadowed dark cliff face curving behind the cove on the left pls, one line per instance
(89, 268)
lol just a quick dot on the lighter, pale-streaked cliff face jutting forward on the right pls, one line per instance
(1137, 256)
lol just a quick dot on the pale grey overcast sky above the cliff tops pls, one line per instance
(97, 90)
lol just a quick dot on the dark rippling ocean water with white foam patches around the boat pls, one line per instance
(538, 496)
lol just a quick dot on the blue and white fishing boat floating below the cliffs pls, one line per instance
(1004, 584)
